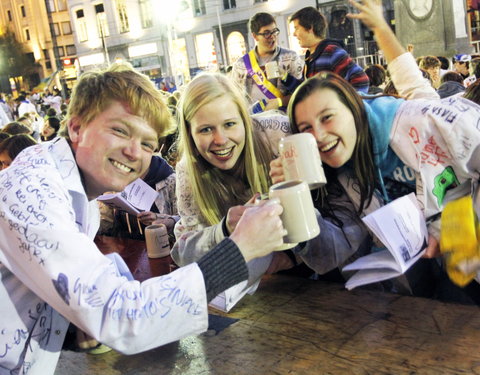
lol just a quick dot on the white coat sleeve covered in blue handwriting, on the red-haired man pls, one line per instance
(41, 244)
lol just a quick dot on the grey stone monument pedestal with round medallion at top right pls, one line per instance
(434, 27)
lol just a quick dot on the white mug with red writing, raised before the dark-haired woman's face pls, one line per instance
(301, 159)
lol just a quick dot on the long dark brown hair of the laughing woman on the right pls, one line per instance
(362, 158)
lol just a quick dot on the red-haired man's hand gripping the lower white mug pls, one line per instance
(259, 231)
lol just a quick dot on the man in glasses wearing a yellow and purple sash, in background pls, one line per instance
(249, 70)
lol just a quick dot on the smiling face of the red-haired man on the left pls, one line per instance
(113, 150)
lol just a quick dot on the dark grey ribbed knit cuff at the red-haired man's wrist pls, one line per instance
(222, 267)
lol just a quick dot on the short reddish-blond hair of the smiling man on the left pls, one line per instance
(96, 90)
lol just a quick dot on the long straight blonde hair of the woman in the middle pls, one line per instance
(213, 190)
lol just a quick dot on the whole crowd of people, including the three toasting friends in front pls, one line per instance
(382, 132)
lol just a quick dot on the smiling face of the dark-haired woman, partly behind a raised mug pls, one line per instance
(331, 123)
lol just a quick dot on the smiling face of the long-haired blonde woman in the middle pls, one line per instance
(218, 132)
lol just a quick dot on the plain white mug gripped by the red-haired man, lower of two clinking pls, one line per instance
(298, 215)
